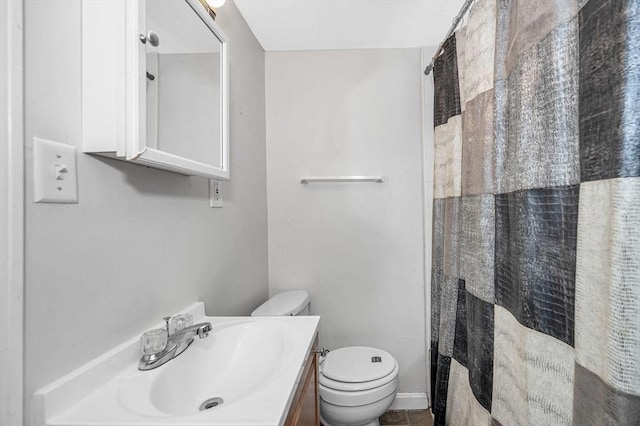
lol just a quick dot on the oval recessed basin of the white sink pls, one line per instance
(238, 359)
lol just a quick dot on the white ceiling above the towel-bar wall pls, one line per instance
(281, 25)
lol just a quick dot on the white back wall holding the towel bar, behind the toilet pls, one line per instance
(357, 248)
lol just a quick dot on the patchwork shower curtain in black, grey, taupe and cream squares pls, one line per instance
(536, 217)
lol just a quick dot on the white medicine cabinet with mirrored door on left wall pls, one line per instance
(155, 85)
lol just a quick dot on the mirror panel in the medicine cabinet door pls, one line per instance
(183, 83)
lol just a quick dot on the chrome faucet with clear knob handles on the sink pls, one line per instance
(176, 343)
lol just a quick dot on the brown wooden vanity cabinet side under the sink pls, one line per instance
(305, 408)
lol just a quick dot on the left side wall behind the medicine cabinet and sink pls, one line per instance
(142, 243)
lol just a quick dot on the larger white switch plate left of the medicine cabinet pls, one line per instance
(54, 172)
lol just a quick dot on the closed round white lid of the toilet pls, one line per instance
(355, 364)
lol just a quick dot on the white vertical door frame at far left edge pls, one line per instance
(11, 212)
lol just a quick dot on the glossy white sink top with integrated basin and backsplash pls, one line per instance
(247, 369)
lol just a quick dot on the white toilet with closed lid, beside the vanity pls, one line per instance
(357, 383)
